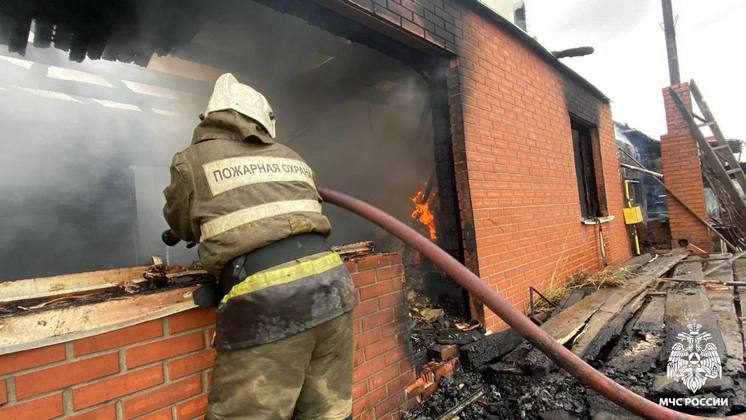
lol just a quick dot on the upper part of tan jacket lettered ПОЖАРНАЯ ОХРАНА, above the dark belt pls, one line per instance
(233, 193)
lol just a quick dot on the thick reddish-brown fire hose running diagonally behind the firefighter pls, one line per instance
(521, 324)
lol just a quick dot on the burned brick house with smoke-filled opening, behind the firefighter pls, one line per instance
(441, 112)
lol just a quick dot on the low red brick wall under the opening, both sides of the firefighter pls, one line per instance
(161, 368)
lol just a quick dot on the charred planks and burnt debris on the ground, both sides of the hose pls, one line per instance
(630, 333)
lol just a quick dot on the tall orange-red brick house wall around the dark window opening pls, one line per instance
(515, 166)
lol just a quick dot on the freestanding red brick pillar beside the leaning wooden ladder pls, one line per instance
(682, 171)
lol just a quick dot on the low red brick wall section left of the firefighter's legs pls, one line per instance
(159, 368)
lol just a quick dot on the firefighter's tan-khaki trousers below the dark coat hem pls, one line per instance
(304, 376)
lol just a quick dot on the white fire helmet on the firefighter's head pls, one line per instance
(230, 94)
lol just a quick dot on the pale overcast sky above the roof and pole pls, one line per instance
(630, 64)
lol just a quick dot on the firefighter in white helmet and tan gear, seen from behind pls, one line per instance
(284, 322)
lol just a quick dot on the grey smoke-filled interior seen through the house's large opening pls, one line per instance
(87, 145)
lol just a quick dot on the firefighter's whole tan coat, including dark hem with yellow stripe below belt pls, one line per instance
(235, 190)
